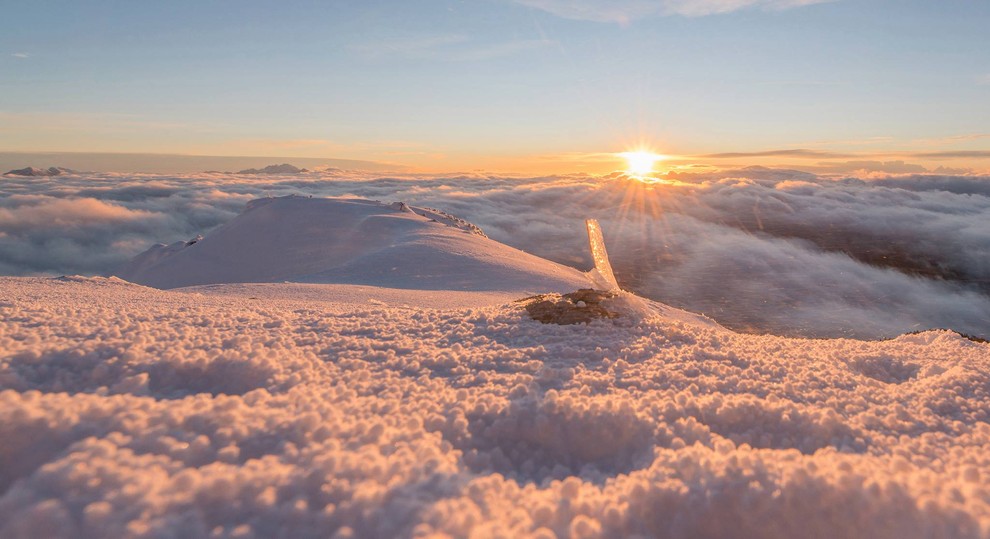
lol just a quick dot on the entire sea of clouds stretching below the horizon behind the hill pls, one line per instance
(759, 250)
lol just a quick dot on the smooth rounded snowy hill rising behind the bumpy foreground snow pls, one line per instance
(349, 241)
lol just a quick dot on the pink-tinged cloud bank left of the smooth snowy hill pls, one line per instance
(68, 227)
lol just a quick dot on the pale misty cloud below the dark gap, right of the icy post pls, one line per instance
(808, 291)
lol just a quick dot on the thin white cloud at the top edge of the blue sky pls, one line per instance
(625, 11)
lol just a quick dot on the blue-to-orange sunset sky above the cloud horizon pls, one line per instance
(506, 85)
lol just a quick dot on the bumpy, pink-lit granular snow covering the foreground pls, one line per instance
(223, 411)
